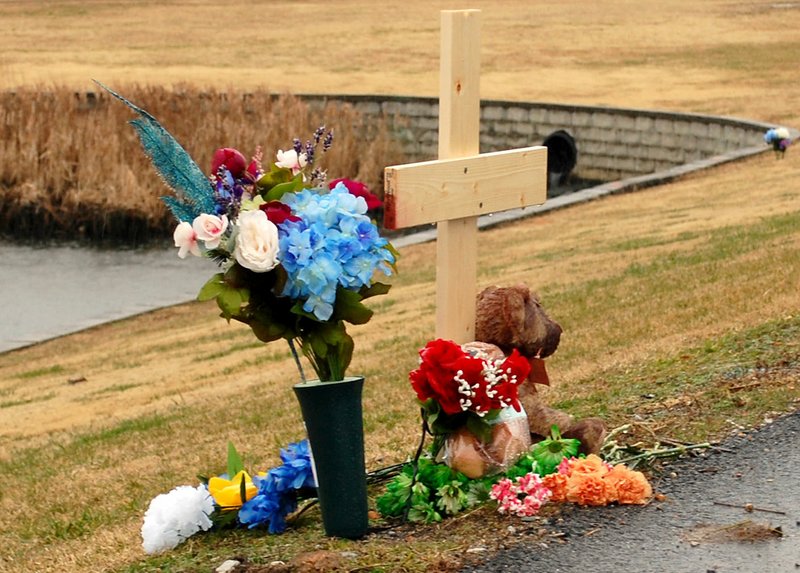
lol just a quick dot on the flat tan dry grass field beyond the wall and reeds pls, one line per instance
(718, 56)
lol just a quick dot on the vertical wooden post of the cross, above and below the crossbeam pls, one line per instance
(459, 136)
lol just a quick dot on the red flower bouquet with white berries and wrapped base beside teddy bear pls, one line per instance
(470, 403)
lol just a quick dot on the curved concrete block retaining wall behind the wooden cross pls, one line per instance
(612, 143)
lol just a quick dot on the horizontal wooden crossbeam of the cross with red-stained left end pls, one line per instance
(450, 189)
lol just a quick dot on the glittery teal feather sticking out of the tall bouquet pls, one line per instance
(194, 192)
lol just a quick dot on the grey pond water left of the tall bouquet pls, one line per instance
(55, 290)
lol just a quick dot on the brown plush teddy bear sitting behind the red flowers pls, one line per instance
(512, 317)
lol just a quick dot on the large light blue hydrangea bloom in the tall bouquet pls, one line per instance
(334, 244)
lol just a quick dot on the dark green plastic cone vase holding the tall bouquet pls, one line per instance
(333, 416)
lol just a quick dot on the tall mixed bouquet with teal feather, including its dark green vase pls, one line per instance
(298, 257)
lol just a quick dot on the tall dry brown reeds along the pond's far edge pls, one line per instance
(71, 168)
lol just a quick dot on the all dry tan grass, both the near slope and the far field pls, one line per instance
(679, 303)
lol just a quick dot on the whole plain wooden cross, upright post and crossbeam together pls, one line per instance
(461, 185)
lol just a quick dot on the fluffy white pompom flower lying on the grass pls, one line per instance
(175, 516)
